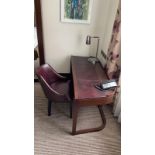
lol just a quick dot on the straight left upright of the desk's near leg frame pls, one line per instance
(75, 115)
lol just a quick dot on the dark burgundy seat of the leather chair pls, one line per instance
(62, 87)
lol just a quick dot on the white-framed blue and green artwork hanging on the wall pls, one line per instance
(76, 11)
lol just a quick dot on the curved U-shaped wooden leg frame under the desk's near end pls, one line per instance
(75, 114)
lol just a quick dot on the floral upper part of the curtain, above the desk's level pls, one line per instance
(113, 64)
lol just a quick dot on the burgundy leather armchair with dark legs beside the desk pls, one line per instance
(57, 88)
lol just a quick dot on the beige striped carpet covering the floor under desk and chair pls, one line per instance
(52, 134)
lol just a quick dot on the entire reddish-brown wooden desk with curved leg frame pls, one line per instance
(85, 76)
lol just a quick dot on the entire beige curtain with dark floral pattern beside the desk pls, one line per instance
(113, 64)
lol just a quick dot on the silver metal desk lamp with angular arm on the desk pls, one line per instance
(93, 60)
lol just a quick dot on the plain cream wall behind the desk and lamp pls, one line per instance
(61, 40)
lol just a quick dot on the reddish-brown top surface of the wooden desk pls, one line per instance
(85, 76)
